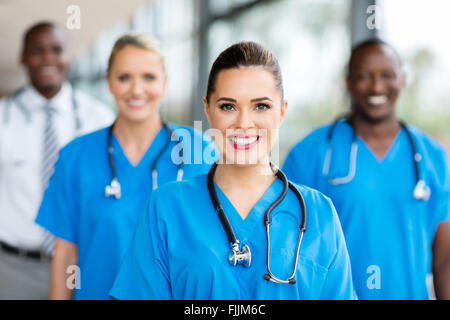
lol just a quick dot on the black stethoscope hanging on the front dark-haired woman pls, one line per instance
(242, 255)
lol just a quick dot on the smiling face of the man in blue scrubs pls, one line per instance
(375, 82)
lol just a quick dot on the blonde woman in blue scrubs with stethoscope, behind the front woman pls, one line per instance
(102, 180)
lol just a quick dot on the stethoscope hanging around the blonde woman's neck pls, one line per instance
(114, 188)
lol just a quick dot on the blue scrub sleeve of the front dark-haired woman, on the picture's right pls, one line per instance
(338, 283)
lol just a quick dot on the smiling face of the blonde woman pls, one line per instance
(137, 80)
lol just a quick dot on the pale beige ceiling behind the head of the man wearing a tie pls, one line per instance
(17, 15)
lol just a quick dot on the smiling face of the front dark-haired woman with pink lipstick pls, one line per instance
(246, 110)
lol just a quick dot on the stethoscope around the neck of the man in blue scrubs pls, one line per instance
(421, 190)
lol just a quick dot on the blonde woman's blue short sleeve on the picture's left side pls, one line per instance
(58, 210)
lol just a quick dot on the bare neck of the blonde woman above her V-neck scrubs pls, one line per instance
(136, 135)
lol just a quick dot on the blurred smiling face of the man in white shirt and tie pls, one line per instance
(46, 59)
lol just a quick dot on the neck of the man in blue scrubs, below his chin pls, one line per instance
(386, 129)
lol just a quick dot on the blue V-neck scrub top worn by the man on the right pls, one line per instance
(389, 234)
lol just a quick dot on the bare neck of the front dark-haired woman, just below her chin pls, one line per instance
(245, 177)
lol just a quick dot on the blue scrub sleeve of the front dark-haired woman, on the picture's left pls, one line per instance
(144, 272)
